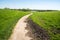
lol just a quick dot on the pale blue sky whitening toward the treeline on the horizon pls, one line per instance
(31, 4)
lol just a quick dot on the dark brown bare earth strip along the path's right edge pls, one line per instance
(38, 32)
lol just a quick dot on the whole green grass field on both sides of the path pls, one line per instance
(49, 21)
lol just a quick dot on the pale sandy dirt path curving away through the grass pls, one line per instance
(20, 32)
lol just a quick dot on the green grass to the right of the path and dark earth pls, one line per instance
(50, 21)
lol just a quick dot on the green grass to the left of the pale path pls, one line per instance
(8, 19)
